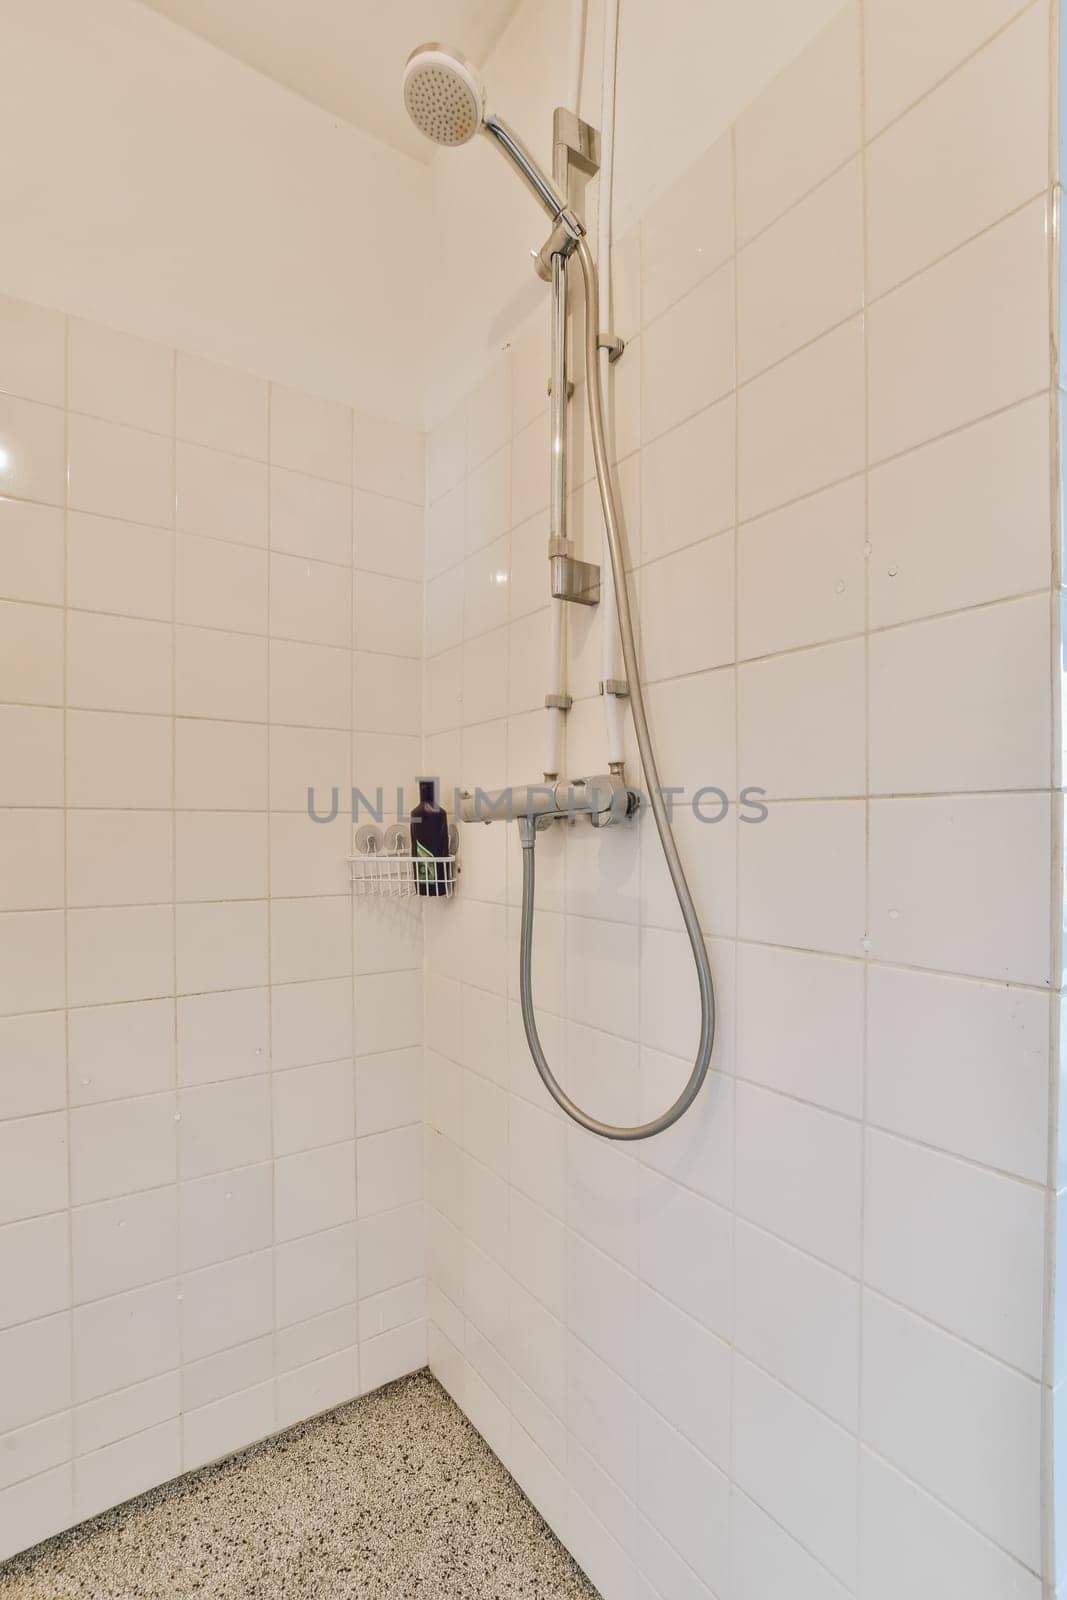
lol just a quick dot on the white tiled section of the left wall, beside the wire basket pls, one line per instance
(210, 1070)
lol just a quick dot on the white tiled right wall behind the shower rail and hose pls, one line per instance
(797, 1346)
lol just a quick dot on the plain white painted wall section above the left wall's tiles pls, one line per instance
(159, 186)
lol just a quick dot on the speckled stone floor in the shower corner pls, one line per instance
(393, 1497)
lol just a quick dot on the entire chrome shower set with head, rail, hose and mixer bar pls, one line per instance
(447, 103)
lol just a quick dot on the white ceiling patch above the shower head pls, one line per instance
(345, 55)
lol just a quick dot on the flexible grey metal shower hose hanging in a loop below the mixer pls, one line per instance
(529, 831)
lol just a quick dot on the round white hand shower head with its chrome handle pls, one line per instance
(446, 100)
